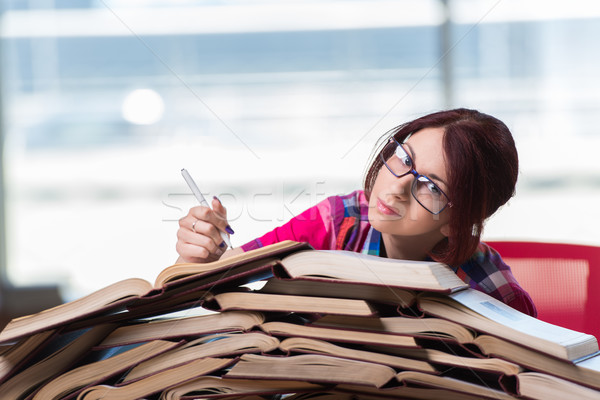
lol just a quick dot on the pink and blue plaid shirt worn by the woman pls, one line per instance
(341, 223)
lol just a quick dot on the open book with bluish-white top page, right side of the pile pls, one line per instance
(485, 314)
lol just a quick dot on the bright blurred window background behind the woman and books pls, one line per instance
(273, 106)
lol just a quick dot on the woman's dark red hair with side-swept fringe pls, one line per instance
(483, 166)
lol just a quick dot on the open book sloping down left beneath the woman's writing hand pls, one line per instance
(172, 281)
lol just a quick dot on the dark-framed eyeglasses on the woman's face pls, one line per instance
(423, 189)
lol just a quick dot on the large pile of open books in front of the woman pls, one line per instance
(289, 322)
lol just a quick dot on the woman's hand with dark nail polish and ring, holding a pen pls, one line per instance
(199, 235)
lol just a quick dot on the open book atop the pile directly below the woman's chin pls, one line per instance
(350, 267)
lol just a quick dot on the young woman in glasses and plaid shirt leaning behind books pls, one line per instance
(426, 196)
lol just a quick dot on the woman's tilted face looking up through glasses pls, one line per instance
(393, 209)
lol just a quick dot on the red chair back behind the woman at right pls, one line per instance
(562, 279)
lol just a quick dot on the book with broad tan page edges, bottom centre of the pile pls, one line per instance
(314, 368)
